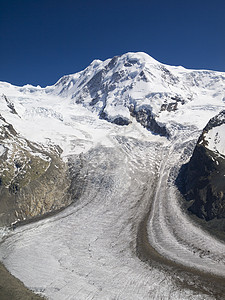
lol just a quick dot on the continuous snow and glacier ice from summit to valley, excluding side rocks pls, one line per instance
(127, 236)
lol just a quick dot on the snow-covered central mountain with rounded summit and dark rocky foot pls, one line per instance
(136, 85)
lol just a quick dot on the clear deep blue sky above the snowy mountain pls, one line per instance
(42, 40)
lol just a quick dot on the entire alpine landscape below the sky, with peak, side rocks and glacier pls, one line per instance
(112, 183)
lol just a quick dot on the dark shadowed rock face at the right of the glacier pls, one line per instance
(204, 178)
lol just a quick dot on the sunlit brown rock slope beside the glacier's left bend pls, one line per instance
(34, 181)
